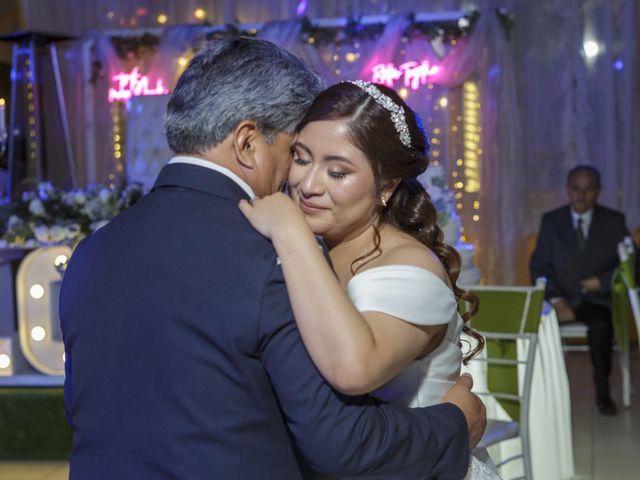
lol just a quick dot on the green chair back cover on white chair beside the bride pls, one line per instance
(513, 310)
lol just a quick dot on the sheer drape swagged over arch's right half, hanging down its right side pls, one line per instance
(485, 55)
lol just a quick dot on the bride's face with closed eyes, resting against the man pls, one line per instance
(332, 181)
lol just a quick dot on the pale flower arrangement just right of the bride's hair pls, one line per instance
(434, 180)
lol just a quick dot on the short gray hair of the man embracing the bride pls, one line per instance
(234, 79)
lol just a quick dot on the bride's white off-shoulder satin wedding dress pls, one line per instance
(418, 296)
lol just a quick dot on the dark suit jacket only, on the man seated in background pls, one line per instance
(558, 258)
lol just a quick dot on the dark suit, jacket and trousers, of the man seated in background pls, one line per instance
(559, 258)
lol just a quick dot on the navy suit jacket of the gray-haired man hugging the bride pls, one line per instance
(184, 361)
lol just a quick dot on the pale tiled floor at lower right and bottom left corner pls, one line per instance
(605, 448)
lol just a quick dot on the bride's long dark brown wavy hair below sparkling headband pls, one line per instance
(409, 208)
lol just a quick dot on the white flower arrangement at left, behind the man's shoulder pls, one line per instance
(50, 216)
